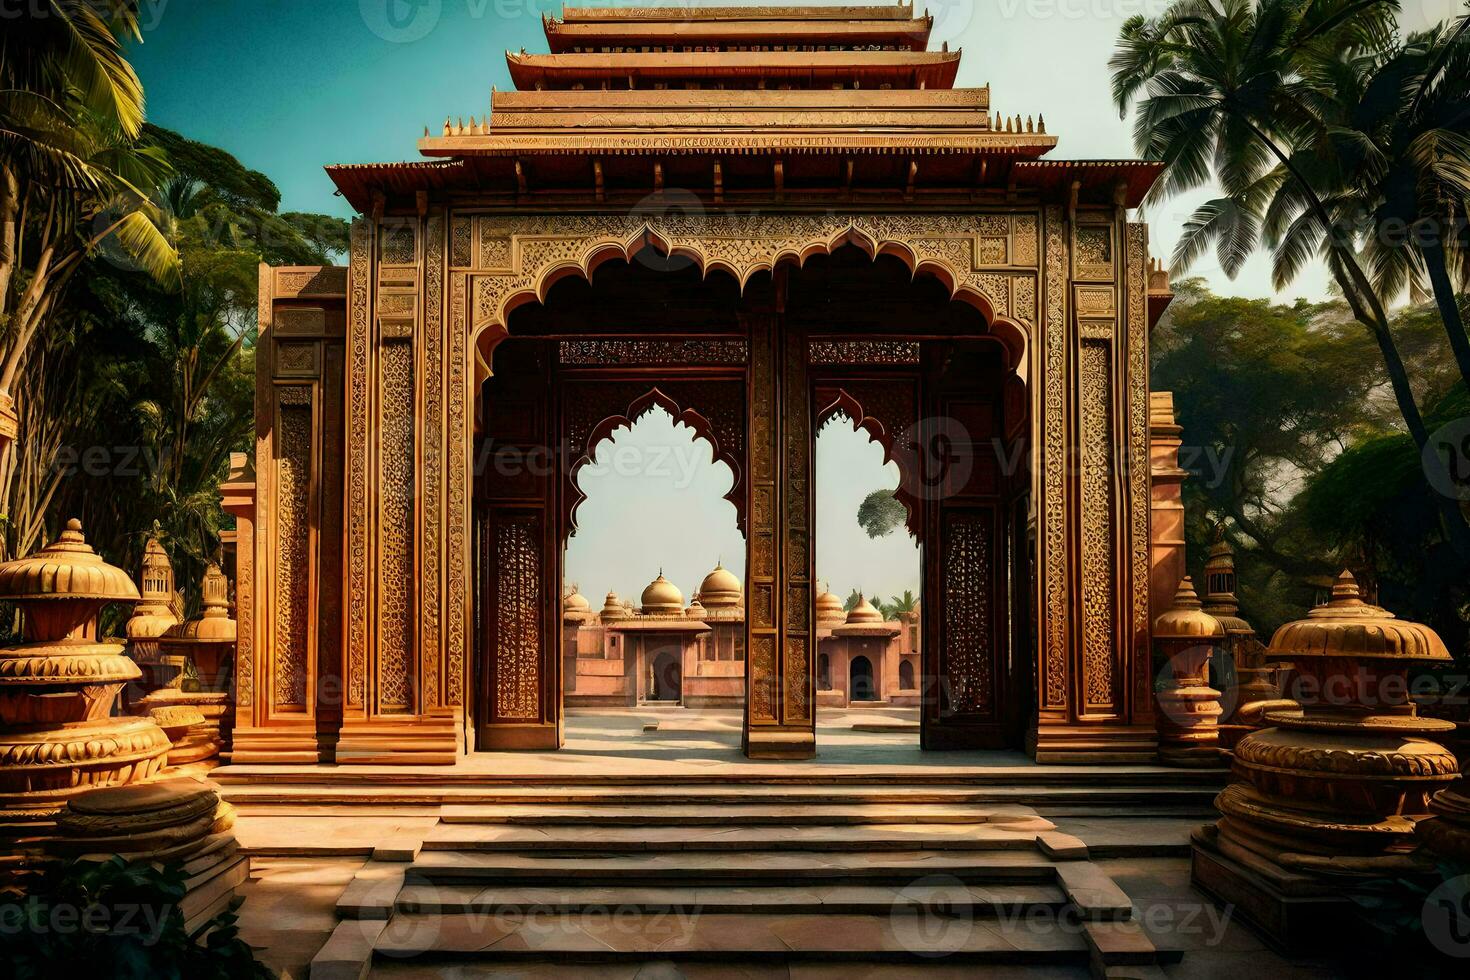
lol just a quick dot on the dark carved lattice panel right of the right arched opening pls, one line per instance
(968, 569)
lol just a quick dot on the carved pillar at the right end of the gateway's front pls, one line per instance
(1096, 680)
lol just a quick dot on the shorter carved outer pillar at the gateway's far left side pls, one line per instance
(289, 549)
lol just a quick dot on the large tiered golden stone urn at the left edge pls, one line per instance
(58, 688)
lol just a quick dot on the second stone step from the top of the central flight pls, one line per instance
(737, 838)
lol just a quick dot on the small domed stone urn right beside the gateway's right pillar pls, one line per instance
(1186, 638)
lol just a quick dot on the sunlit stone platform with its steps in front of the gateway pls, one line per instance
(633, 847)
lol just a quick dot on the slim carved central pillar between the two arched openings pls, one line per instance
(780, 634)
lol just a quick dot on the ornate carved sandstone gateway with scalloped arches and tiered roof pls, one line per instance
(756, 220)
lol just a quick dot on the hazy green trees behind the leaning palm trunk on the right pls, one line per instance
(1296, 453)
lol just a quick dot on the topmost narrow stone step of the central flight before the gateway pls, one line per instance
(745, 815)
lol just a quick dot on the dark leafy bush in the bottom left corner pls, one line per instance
(120, 920)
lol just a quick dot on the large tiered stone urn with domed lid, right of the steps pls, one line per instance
(1328, 799)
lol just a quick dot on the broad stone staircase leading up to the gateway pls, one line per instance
(758, 878)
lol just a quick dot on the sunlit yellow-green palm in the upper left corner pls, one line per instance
(73, 177)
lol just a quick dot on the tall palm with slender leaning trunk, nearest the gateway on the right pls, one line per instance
(1228, 92)
